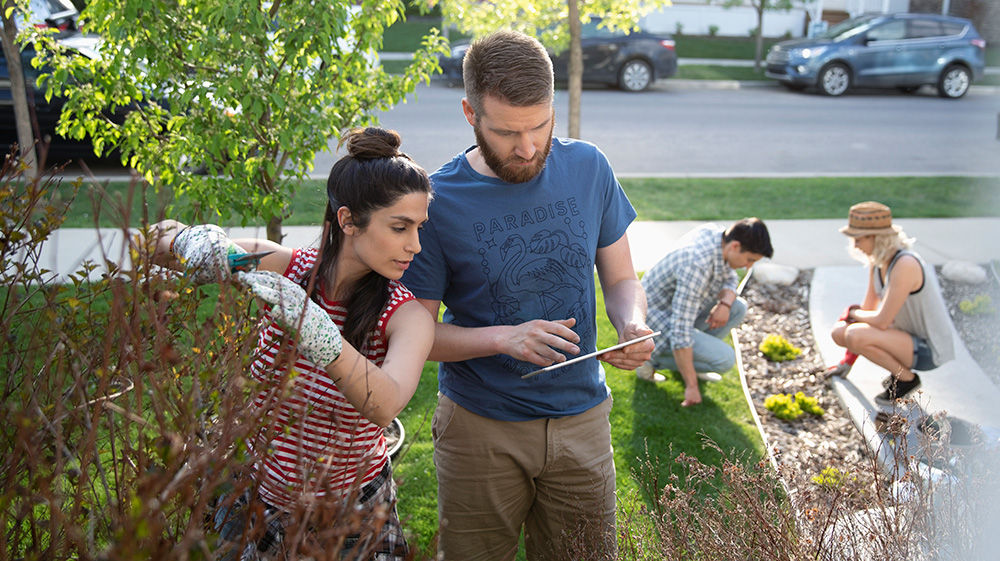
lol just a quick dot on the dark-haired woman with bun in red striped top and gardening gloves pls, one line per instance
(361, 342)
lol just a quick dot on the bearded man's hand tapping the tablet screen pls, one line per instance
(538, 341)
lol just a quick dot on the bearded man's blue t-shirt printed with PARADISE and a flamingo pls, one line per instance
(499, 253)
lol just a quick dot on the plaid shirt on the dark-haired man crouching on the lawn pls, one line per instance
(686, 281)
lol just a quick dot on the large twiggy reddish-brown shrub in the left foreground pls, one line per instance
(126, 412)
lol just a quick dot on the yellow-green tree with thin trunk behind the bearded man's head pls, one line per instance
(556, 23)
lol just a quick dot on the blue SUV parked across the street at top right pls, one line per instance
(902, 51)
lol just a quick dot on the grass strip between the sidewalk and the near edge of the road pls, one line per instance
(666, 199)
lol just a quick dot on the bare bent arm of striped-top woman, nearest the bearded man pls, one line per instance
(380, 393)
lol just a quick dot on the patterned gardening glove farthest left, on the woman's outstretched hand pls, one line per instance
(205, 251)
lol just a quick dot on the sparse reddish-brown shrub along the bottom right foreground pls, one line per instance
(741, 509)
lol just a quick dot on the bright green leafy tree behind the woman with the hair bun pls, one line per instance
(248, 91)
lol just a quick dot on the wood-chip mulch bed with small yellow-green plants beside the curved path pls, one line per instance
(809, 444)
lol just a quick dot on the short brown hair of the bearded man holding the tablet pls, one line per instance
(510, 66)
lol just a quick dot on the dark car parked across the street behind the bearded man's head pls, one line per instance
(630, 61)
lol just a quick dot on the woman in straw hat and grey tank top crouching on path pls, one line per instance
(901, 325)
